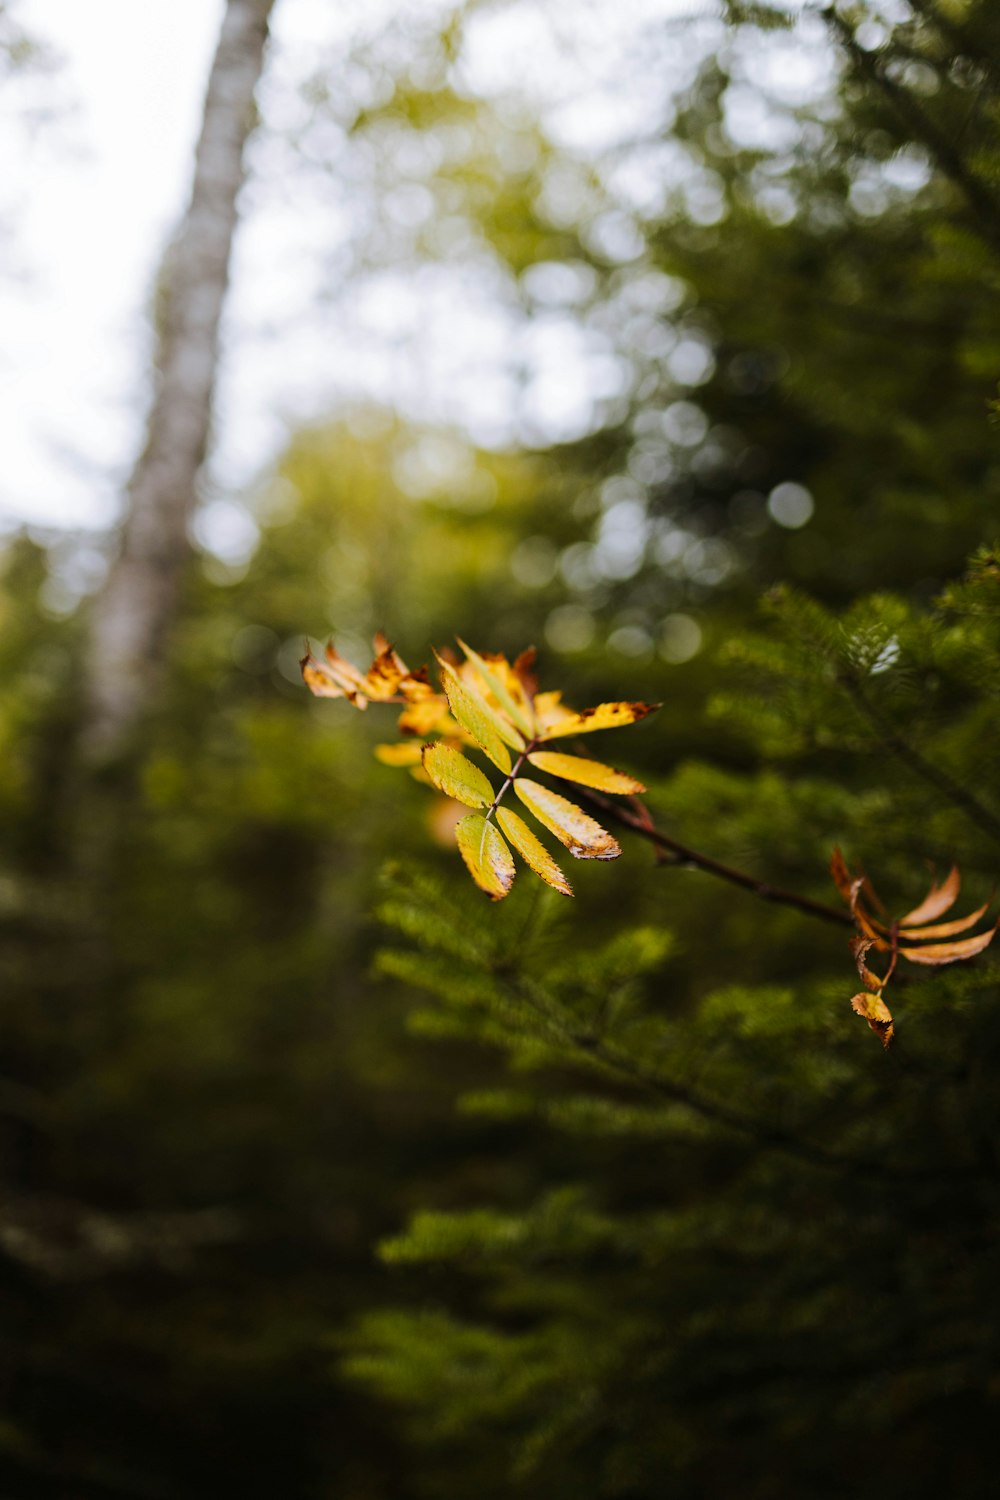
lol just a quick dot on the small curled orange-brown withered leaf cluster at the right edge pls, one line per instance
(918, 937)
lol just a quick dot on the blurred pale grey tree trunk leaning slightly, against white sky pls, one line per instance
(134, 613)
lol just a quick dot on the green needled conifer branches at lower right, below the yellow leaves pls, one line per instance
(728, 1253)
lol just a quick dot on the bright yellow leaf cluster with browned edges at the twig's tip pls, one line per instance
(494, 707)
